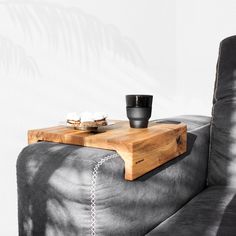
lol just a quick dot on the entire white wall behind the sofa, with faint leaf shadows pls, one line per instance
(60, 56)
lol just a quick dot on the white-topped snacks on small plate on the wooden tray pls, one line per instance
(86, 120)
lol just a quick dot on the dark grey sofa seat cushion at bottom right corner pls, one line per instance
(212, 212)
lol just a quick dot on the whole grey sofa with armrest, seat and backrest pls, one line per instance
(70, 190)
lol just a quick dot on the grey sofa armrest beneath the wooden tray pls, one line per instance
(55, 183)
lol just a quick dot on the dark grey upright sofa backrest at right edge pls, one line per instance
(222, 164)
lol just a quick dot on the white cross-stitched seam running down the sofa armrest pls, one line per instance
(93, 190)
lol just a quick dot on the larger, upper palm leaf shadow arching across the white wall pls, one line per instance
(81, 36)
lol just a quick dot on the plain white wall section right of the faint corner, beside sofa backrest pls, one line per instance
(200, 26)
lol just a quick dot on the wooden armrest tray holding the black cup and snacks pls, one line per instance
(141, 149)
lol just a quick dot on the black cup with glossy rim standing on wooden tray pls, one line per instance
(139, 110)
